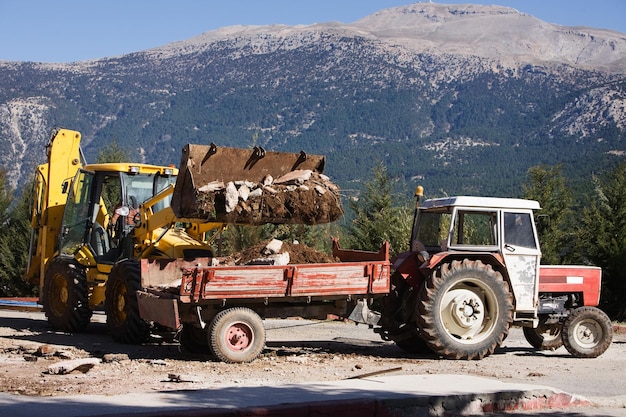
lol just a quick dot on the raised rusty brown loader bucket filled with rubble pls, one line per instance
(253, 187)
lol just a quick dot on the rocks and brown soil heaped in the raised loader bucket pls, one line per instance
(298, 197)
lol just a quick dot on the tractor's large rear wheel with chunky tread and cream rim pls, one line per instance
(465, 311)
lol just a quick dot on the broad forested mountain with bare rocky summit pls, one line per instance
(462, 99)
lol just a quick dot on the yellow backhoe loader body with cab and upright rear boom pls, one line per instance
(87, 218)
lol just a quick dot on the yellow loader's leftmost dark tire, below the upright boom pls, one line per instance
(66, 296)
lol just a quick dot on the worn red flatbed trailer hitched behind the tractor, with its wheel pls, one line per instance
(220, 307)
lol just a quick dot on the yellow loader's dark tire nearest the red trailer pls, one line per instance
(121, 306)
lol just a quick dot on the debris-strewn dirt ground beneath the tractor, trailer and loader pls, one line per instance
(297, 351)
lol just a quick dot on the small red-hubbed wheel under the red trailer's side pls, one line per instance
(237, 335)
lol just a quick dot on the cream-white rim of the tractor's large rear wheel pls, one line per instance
(467, 311)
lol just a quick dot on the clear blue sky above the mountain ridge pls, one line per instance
(75, 30)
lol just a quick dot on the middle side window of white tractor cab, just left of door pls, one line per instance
(474, 228)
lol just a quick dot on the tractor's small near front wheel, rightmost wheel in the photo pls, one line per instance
(587, 332)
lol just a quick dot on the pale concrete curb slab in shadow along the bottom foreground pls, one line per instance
(404, 395)
